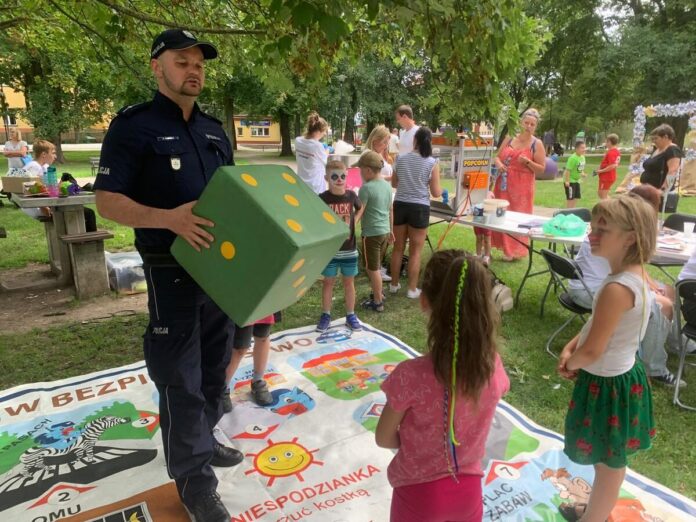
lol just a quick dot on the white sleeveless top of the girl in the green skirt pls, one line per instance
(620, 353)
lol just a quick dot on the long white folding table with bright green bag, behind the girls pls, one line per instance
(517, 225)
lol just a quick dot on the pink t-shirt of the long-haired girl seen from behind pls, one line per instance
(412, 387)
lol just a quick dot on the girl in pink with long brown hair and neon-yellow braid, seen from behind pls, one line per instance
(440, 406)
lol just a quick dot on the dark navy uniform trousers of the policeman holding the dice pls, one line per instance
(186, 352)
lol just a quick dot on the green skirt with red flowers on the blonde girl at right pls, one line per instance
(609, 418)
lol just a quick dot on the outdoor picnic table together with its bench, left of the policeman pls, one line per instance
(76, 256)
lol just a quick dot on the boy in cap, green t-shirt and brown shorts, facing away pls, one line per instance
(377, 223)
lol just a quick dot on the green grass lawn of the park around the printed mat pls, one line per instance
(80, 348)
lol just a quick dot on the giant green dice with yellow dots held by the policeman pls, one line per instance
(273, 238)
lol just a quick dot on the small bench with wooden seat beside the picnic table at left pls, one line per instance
(88, 262)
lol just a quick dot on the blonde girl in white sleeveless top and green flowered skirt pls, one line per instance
(610, 414)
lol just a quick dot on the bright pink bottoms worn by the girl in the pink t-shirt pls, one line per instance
(439, 501)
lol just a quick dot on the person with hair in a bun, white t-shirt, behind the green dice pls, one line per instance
(311, 155)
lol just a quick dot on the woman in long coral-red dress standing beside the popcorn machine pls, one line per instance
(519, 160)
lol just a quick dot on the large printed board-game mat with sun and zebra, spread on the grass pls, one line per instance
(89, 448)
